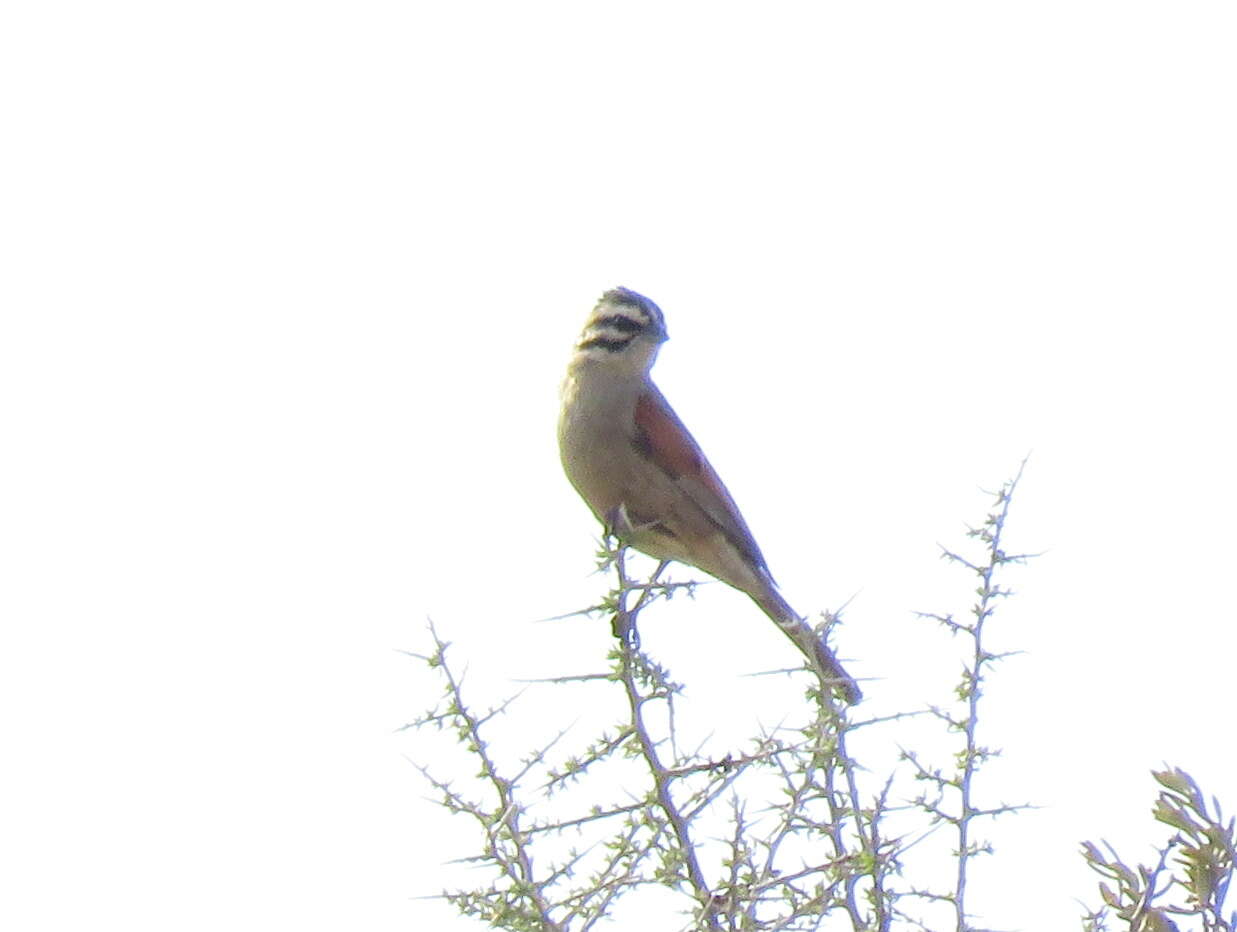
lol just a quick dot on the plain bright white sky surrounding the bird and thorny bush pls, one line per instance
(289, 294)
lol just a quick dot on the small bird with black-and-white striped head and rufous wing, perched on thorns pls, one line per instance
(646, 480)
